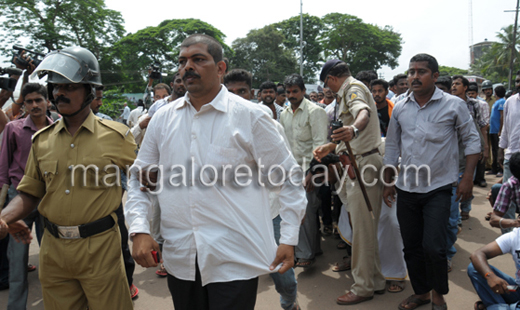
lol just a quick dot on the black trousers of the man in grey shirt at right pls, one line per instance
(423, 219)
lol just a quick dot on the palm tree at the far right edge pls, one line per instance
(494, 63)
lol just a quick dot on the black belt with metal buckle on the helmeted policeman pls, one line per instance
(81, 231)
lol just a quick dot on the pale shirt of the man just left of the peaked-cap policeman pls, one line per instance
(306, 129)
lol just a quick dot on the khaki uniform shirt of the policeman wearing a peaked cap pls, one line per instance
(354, 96)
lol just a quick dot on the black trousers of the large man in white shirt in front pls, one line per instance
(191, 295)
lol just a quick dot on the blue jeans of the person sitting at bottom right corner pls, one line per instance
(491, 299)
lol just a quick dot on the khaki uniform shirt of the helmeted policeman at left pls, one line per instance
(73, 199)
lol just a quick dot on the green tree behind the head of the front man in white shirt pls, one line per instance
(134, 53)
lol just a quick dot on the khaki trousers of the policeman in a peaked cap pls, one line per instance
(366, 266)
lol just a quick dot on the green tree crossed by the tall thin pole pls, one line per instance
(312, 28)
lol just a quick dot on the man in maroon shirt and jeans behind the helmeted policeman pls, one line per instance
(16, 146)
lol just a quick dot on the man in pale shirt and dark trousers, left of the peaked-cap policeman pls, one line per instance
(305, 126)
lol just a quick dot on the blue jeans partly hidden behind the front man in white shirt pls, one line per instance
(285, 284)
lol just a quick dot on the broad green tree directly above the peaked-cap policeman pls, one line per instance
(362, 46)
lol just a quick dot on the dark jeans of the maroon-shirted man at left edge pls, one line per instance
(18, 254)
